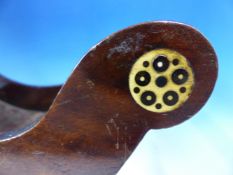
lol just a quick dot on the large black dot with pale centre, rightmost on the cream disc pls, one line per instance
(180, 76)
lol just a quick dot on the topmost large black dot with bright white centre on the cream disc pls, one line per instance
(161, 63)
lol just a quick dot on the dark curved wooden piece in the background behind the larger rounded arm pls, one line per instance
(28, 97)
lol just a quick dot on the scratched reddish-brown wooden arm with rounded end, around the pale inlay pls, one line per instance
(95, 124)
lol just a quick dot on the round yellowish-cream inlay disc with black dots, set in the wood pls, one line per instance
(161, 80)
